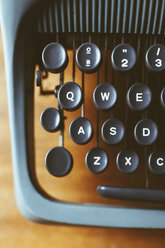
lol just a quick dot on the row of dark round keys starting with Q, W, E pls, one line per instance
(139, 96)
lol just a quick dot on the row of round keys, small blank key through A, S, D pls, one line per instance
(112, 130)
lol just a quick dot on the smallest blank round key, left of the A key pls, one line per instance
(50, 119)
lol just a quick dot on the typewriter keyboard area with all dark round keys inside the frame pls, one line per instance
(102, 101)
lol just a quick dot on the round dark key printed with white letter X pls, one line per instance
(127, 161)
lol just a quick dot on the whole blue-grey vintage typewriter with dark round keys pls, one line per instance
(86, 95)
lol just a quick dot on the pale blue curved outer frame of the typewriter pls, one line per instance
(30, 202)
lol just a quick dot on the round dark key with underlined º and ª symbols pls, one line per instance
(88, 57)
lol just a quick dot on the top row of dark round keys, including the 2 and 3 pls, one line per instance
(89, 58)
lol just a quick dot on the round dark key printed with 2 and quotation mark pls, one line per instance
(123, 57)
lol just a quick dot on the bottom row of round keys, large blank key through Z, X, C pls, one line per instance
(59, 161)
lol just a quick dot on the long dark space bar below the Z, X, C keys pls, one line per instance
(132, 194)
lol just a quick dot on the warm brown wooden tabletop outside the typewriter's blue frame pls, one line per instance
(15, 231)
